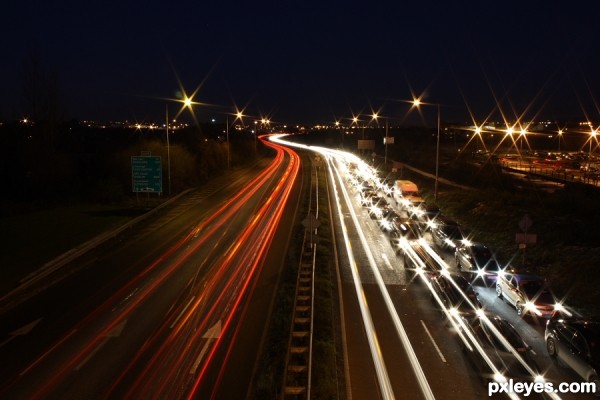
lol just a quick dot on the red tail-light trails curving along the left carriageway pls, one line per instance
(217, 300)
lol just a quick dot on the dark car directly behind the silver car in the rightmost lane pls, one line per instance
(476, 258)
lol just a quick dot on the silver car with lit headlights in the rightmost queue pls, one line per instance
(528, 293)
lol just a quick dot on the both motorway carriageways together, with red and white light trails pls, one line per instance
(177, 307)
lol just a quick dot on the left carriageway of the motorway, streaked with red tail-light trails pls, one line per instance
(176, 309)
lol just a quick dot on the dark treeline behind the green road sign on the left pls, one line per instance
(49, 163)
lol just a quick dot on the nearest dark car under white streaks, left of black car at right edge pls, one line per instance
(492, 339)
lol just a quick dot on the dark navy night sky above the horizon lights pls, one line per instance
(305, 61)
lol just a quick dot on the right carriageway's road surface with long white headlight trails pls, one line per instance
(398, 343)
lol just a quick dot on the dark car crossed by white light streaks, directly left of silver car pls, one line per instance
(454, 290)
